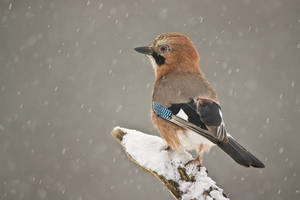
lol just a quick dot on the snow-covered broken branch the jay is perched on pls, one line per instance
(151, 153)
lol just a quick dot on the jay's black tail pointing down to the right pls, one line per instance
(240, 154)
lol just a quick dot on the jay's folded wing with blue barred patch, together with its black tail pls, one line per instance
(204, 117)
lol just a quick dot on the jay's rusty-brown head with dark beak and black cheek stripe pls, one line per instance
(171, 52)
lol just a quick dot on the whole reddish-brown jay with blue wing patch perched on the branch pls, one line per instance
(181, 88)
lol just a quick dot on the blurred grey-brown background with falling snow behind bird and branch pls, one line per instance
(69, 74)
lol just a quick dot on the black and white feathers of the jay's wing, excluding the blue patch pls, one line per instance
(203, 113)
